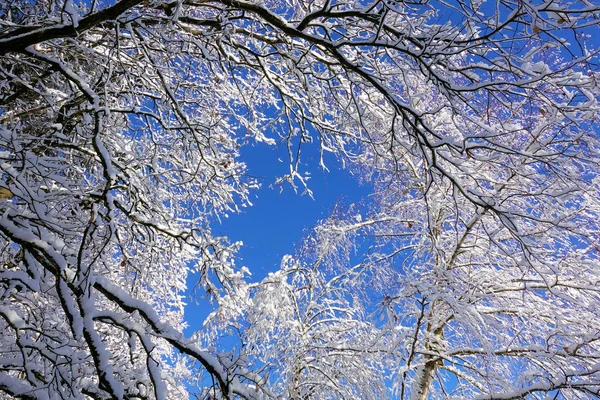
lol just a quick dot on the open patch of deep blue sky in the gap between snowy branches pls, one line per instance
(278, 219)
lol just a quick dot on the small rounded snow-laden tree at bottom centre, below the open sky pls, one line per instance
(310, 331)
